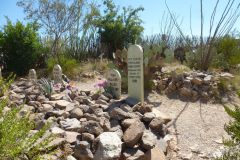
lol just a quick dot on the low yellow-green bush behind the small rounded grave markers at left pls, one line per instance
(69, 65)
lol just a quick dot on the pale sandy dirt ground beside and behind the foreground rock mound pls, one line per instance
(197, 128)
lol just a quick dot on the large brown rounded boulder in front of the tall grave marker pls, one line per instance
(133, 134)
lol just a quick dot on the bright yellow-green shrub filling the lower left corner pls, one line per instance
(16, 140)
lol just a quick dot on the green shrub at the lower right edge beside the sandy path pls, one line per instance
(233, 129)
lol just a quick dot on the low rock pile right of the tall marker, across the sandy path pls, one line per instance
(191, 85)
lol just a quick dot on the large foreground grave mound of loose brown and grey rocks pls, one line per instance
(94, 125)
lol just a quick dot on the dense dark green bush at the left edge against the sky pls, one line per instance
(20, 46)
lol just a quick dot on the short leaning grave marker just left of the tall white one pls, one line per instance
(114, 79)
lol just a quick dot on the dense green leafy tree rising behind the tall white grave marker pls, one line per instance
(117, 30)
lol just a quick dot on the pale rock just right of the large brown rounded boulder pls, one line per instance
(148, 140)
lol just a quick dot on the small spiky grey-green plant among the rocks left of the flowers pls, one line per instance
(46, 87)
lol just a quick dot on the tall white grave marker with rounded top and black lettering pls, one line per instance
(135, 72)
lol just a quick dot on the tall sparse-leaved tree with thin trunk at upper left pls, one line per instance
(55, 16)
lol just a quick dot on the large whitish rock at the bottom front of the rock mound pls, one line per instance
(109, 146)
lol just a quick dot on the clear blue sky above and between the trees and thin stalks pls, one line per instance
(151, 16)
